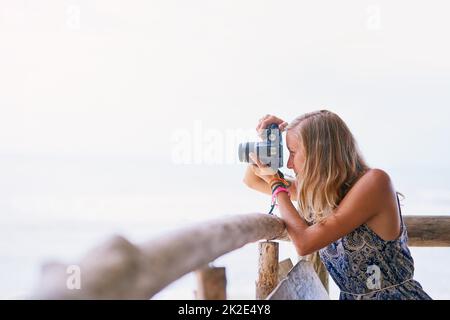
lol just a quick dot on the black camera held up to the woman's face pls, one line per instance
(269, 151)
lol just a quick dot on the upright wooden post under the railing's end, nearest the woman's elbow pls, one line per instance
(267, 269)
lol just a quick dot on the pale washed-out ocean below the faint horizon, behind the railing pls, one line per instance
(65, 217)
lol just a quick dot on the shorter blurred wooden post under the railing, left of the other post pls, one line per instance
(211, 283)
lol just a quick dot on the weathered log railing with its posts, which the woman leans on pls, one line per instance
(119, 269)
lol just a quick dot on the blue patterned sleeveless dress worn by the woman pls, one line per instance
(364, 266)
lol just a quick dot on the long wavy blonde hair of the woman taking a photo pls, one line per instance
(333, 163)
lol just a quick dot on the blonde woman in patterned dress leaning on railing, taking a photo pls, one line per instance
(346, 210)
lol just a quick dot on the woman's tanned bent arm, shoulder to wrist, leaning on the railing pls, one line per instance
(363, 202)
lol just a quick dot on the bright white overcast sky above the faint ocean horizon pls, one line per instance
(107, 80)
